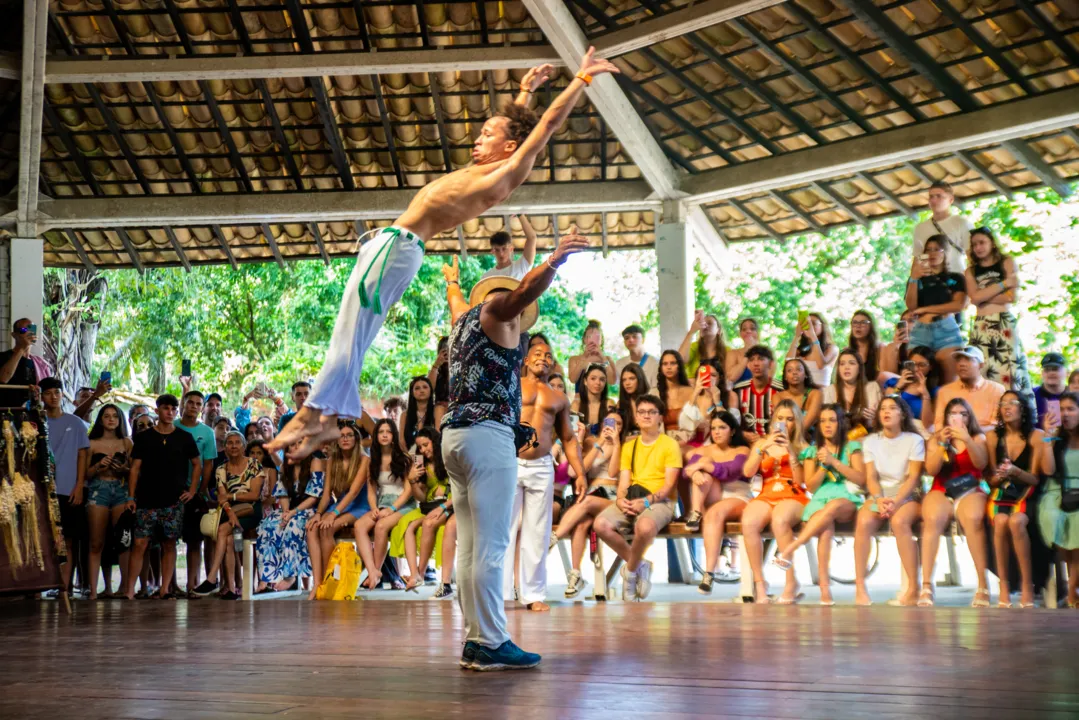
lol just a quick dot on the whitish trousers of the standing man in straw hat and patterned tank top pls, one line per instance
(482, 461)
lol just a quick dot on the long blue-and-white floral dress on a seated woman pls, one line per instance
(283, 552)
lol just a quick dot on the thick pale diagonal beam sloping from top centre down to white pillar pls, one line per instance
(563, 31)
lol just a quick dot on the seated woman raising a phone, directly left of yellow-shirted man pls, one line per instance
(602, 460)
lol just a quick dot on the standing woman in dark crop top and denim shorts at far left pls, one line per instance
(106, 473)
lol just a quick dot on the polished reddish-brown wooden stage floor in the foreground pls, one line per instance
(213, 659)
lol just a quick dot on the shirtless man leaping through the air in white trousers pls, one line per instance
(503, 158)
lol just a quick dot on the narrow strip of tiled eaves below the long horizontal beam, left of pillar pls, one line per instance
(295, 241)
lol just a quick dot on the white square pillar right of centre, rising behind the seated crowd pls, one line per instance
(676, 280)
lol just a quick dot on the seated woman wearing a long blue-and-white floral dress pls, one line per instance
(282, 549)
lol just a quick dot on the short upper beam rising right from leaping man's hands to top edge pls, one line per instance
(694, 18)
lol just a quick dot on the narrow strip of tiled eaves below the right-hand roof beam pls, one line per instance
(804, 209)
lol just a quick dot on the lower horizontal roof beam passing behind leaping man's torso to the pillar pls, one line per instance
(256, 209)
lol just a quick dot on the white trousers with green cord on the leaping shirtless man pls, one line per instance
(386, 267)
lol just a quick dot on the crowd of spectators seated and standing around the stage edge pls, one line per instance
(934, 427)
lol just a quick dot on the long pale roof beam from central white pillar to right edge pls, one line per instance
(991, 126)
